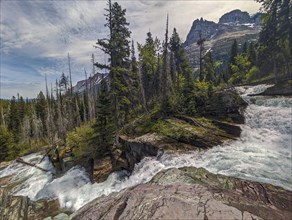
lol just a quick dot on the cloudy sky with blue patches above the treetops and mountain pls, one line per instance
(37, 35)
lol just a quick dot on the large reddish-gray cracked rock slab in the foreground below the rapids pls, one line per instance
(192, 193)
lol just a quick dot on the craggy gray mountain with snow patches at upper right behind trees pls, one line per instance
(219, 36)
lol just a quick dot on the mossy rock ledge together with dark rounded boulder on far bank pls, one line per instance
(181, 134)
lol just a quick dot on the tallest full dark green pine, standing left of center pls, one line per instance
(117, 47)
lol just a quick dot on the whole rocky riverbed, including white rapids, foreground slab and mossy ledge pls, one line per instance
(154, 176)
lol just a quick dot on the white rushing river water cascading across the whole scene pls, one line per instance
(263, 153)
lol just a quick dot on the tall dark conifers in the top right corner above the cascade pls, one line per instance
(275, 53)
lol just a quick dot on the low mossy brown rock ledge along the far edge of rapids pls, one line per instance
(193, 136)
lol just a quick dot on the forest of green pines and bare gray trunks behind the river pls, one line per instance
(159, 79)
